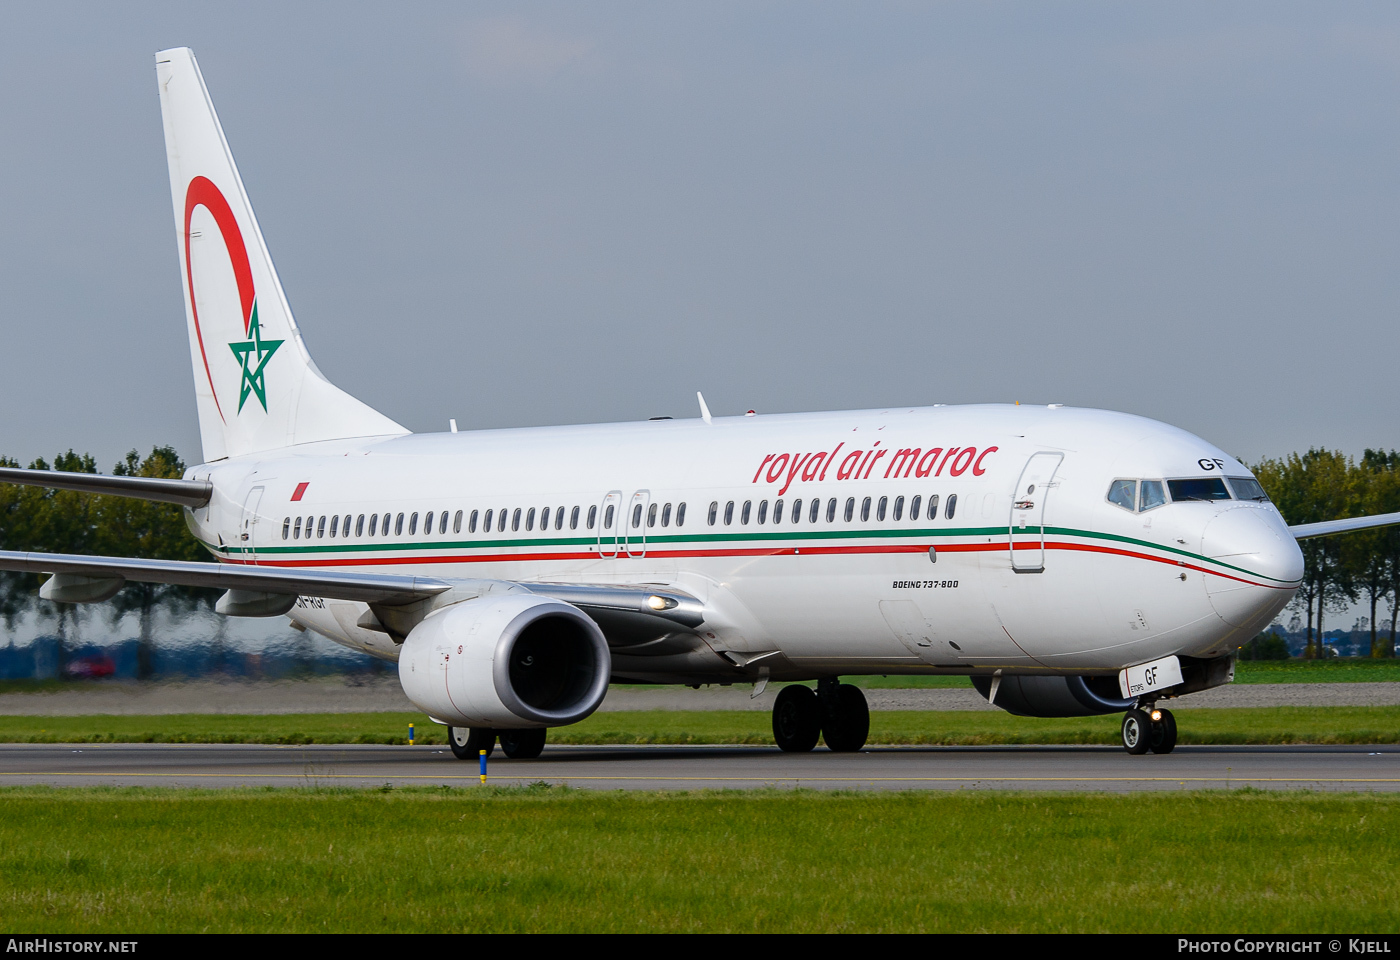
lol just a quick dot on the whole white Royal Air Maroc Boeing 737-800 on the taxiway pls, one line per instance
(1070, 562)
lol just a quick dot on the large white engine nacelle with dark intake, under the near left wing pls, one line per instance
(512, 663)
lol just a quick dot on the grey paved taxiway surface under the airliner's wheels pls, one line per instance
(709, 768)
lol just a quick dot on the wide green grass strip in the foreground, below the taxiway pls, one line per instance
(545, 860)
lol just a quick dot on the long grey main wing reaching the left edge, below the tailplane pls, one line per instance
(370, 588)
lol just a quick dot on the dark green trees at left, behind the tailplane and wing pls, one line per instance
(65, 521)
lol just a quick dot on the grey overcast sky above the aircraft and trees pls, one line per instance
(563, 213)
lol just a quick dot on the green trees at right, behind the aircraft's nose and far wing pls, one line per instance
(1356, 567)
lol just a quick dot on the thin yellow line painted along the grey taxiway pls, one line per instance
(764, 780)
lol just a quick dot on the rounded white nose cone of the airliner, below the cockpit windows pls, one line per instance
(1263, 566)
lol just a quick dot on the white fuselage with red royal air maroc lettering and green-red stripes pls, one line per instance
(1090, 587)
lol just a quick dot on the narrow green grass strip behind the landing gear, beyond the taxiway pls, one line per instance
(972, 728)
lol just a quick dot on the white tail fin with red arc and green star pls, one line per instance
(255, 384)
